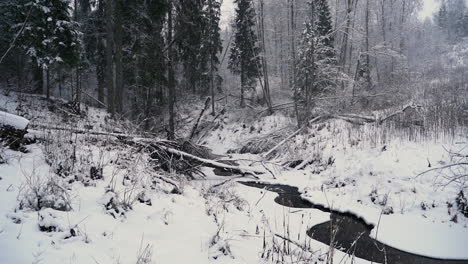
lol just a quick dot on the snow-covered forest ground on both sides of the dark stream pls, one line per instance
(81, 198)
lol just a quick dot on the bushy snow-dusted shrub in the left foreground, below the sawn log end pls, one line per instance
(39, 191)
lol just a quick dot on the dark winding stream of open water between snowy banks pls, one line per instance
(352, 235)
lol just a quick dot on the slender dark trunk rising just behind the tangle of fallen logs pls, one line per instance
(171, 79)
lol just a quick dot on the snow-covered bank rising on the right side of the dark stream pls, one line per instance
(380, 182)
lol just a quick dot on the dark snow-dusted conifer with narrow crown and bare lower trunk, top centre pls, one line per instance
(244, 59)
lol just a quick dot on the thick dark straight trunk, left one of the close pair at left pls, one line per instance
(109, 57)
